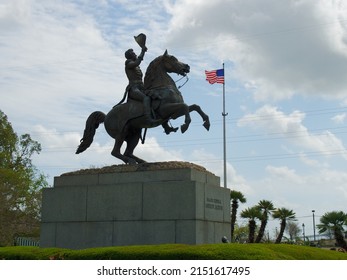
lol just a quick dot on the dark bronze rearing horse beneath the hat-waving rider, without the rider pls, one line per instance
(125, 121)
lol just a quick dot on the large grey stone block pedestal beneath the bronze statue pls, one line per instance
(111, 208)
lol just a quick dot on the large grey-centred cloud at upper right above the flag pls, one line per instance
(278, 49)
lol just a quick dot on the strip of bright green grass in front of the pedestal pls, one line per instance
(177, 252)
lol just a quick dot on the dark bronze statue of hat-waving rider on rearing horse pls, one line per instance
(125, 121)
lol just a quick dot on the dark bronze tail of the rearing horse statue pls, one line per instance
(92, 124)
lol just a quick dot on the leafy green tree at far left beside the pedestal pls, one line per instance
(20, 184)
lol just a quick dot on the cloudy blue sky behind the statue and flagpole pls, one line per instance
(286, 97)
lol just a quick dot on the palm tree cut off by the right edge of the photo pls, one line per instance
(334, 221)
